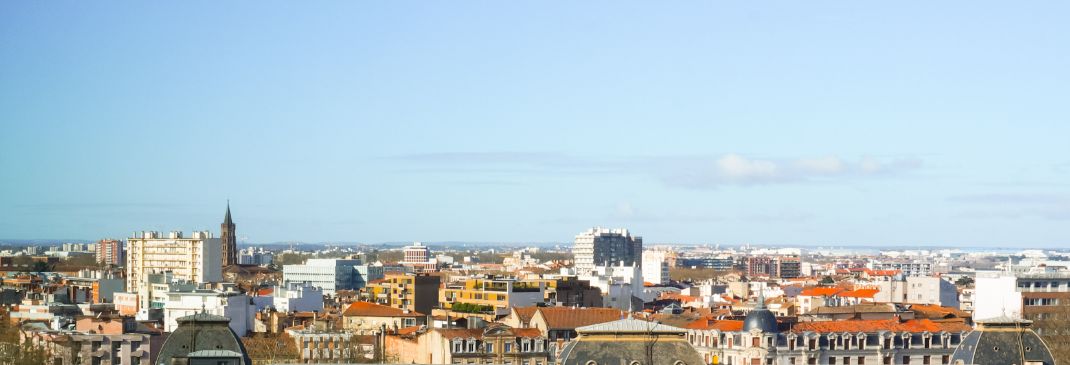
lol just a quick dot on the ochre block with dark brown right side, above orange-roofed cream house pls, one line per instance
(419, 293)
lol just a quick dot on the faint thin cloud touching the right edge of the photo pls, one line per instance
(1015, 206)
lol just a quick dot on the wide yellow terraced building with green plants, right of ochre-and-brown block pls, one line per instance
(491, 296)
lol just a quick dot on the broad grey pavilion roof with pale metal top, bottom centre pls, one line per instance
(631, 342)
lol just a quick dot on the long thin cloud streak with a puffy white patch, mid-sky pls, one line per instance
(681, 172)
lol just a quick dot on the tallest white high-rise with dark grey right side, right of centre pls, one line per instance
(603, 247)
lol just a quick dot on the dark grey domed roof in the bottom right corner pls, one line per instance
(1002, 341)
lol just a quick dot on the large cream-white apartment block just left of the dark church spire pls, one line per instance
(197, 258)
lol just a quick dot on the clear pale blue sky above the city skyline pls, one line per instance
(913, 124)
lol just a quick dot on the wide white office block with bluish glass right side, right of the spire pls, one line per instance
(332, 275)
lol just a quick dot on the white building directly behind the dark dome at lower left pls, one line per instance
(227, 303)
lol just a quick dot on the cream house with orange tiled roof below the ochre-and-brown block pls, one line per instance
(369, 318)
